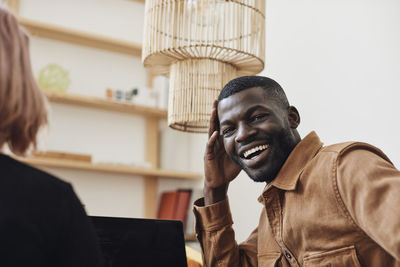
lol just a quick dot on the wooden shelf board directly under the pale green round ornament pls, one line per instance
(100, 103)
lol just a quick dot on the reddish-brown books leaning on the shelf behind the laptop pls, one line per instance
(174, 205)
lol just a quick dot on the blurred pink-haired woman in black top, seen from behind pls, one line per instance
(42, 221)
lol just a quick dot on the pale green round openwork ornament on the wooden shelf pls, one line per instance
(54, 77)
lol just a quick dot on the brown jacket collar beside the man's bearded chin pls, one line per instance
(290, 172)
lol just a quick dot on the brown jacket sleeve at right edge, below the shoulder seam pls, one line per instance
(369, 189)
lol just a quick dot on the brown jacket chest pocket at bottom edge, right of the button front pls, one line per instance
(334, 258)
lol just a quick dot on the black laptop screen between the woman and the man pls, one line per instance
(128, 242)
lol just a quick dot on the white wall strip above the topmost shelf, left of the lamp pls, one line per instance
(121, 19)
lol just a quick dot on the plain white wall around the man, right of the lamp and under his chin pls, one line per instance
(339, 63)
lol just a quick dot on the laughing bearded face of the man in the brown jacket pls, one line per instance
(256, 133)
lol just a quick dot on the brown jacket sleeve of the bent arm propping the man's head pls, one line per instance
(217, 238)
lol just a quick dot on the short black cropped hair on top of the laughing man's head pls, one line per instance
(271, 88)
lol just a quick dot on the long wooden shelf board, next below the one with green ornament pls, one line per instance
(110, 168)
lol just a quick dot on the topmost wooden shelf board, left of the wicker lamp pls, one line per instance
(80, 38)
